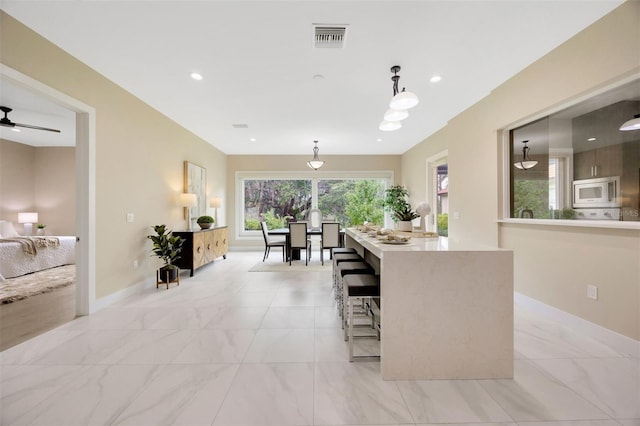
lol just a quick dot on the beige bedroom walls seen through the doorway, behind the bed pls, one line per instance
(40, 179)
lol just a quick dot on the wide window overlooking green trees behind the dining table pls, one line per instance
(278, 198)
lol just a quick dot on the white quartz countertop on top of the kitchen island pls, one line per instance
(378, 247)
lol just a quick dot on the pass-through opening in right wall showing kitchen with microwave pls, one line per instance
(580, 145)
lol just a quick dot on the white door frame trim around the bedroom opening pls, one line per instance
(85, 182)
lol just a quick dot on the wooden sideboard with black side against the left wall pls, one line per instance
(202, 246)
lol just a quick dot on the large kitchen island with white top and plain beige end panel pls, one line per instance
(446, 309)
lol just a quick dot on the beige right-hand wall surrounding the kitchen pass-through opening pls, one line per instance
(552, 264)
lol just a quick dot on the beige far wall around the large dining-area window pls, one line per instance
(294, 163)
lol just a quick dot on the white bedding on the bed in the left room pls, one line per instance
(14, 262)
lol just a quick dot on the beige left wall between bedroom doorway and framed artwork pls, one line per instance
(139, 156)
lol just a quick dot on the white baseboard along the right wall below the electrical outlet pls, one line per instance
(617, 341)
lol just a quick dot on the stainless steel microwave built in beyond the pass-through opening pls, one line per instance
(598, 192)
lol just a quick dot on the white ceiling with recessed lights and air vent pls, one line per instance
(259, 65)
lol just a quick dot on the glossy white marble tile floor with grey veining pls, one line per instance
(231, 347)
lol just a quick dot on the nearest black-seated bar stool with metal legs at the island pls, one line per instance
(359, 286)
